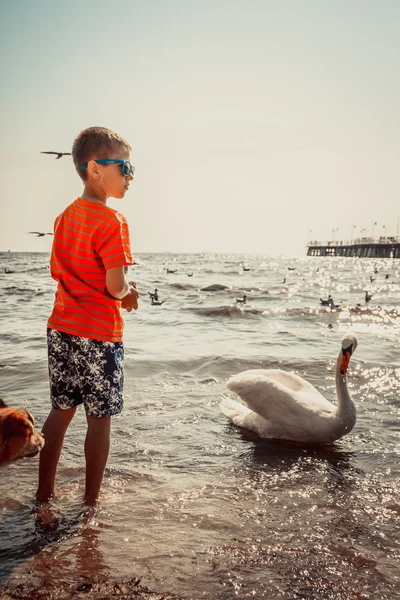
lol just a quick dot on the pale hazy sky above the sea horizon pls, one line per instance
(255, 125)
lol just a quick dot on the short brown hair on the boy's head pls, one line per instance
(94, 143)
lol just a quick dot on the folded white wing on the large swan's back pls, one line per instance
(275, 400)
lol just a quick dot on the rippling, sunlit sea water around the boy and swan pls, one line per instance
(191, 504)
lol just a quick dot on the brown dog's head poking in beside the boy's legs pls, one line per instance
(18, 437)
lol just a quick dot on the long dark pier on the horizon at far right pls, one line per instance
(382, 247)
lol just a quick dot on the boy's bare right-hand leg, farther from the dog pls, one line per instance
(97, 446)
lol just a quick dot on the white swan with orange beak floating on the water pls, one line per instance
(282, 405)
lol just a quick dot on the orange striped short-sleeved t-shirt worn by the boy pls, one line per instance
(89, 237)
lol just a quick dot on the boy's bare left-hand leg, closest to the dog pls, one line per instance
(54, 431)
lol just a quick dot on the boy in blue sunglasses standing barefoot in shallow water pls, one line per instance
(90, 255)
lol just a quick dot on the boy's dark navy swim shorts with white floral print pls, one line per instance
(83, 370)
